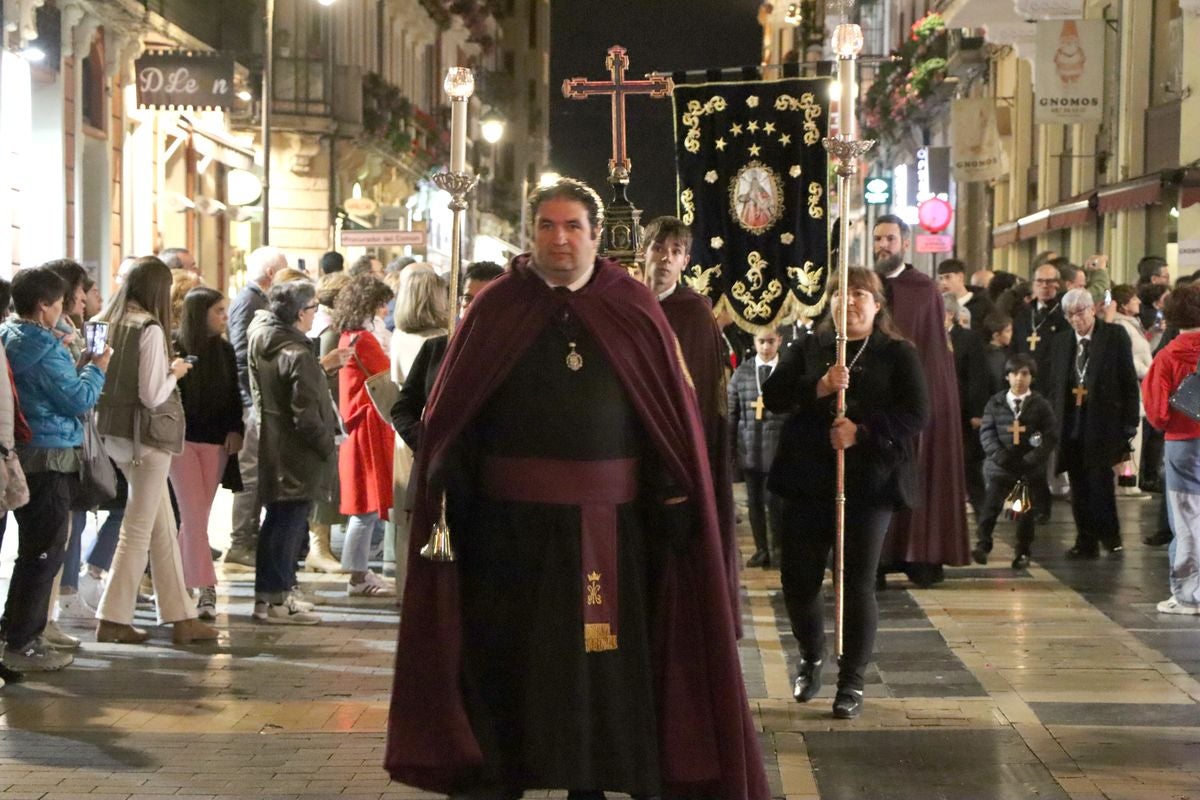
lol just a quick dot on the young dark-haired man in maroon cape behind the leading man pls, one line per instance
(691, 316)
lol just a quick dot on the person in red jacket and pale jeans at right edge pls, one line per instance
(1173, 406)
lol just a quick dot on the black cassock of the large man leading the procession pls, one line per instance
(525, 664)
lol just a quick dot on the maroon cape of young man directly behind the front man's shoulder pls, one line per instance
(691, 316)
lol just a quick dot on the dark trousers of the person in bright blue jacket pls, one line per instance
(44, 526)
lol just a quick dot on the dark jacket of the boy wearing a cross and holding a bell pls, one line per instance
(1028, 458)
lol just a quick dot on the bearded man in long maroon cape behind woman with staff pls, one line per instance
(935, 532)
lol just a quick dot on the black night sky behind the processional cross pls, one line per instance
(659, 35)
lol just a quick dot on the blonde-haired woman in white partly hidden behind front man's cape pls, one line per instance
(423, 309)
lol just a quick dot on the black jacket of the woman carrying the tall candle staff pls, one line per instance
(887, 399)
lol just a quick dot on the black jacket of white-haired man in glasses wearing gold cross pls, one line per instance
(1111, 414)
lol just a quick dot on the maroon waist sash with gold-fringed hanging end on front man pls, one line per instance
(598, 488)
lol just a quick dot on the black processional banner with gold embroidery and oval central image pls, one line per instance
(752, 183)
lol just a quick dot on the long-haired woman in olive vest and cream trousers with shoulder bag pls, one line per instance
(142, 422)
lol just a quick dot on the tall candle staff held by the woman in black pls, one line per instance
(848, 44)
